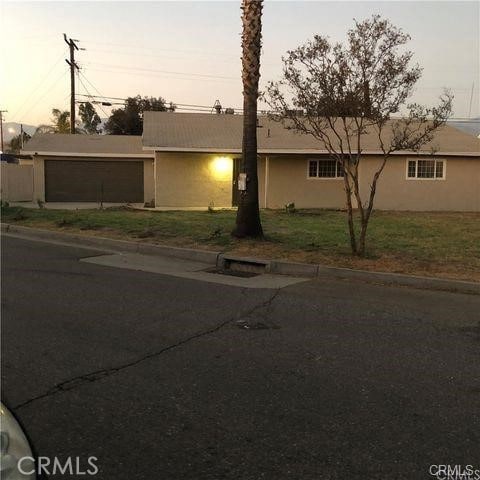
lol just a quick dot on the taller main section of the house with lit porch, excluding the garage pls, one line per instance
(196, 156)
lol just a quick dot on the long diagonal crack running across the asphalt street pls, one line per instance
(96, 375)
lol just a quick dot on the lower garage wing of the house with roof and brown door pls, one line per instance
(90, 168)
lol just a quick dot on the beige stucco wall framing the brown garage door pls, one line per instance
(39, 174)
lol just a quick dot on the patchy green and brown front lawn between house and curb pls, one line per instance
(434, 244)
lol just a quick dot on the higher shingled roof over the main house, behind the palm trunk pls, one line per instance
(200, 132)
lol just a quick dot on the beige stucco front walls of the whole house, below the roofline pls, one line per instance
(198, 180)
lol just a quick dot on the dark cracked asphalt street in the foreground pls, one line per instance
(162, 377)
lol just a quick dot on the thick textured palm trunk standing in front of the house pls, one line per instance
(248, 214)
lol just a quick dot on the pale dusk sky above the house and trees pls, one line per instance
(189, 52)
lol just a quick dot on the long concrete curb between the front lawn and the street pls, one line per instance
(225, 260)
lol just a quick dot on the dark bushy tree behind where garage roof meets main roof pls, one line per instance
(129, 119)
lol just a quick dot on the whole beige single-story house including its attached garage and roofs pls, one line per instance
(192, 159)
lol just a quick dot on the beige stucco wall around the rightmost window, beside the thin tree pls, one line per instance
(459, 191)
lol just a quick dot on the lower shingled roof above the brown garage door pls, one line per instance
(60, 144)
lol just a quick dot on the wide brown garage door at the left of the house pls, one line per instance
(93, 181)
